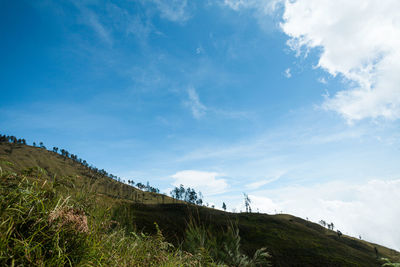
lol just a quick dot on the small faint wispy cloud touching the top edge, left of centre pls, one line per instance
(173, 10)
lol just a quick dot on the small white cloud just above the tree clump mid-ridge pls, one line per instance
(206, 182)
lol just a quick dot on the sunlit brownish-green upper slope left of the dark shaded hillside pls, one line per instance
(27, 158)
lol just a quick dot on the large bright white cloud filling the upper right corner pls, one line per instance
(360, 40)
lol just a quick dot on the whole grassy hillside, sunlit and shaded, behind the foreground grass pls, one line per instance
(292, 241)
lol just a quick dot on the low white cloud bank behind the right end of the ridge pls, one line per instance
(349, 206)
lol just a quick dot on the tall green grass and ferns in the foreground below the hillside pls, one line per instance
(43, 226)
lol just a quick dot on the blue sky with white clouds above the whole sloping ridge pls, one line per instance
(296, 103)
